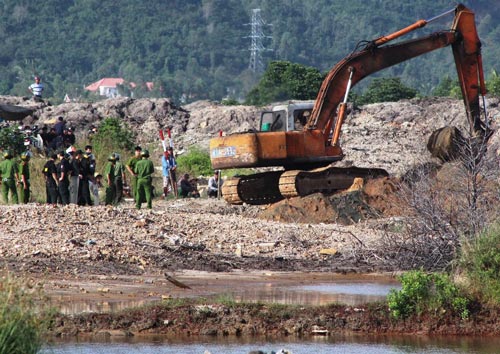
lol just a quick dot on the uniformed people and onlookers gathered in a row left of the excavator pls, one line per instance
(71, 178)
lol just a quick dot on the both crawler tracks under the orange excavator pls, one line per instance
(271, 187)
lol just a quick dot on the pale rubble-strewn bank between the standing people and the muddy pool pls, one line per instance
(176, 234)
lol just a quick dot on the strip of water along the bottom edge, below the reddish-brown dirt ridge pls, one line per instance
(320, 345)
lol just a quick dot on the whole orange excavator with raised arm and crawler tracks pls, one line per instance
(307, 155)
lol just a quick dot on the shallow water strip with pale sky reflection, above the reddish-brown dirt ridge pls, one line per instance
(347, 291)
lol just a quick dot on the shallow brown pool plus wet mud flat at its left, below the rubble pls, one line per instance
(105, 294)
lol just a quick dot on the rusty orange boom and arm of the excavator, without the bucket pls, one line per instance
(328, 113)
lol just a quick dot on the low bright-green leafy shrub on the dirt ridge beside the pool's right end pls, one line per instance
(426, 292)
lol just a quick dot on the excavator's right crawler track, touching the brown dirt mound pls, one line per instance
(324, 180)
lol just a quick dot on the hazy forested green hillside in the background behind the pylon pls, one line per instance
(199, 49)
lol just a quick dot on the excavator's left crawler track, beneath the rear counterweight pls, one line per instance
(260, 188)
